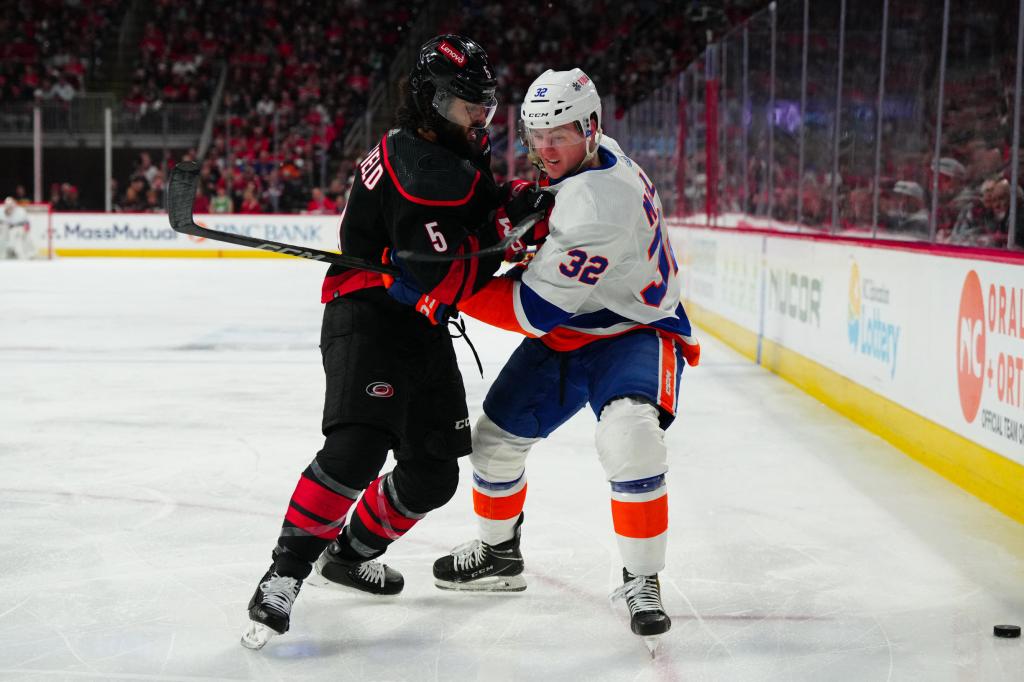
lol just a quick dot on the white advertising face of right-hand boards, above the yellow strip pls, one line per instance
(942, 336)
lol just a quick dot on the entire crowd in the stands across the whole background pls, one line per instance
(298, 74)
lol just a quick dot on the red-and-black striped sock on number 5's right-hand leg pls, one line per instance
(380, 519)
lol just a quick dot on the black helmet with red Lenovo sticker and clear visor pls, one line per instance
(452, 68)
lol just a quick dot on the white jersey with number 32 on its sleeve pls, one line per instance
(608, 261)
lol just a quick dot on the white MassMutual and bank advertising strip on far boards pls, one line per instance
(152, 231)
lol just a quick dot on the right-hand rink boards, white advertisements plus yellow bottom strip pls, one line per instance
(926, 350)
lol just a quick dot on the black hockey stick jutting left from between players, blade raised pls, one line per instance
(182, 197)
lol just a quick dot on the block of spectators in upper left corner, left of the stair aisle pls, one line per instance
(50, 48)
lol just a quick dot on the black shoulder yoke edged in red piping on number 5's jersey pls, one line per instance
(428, 174)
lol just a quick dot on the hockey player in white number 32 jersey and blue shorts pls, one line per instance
(601, 307)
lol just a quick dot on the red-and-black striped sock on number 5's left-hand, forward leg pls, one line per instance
(316, 515)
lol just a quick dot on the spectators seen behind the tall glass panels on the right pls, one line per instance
(971, 178)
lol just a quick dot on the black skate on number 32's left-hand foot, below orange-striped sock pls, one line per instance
(478, 567)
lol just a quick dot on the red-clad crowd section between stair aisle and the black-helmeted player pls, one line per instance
(298, 73)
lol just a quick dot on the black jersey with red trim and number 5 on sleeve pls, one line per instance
(410, 194)
